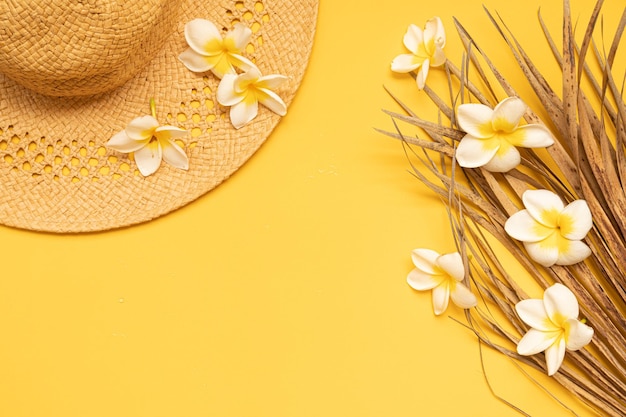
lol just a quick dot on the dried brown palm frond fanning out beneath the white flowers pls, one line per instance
(588, 161)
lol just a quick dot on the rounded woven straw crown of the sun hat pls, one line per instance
(81, 47)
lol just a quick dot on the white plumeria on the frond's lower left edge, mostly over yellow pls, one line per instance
(443, 274)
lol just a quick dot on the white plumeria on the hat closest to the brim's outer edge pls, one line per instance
(244, 92)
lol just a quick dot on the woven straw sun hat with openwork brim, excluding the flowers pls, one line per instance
(73, 73)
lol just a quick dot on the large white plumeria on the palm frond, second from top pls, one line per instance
(492, 135)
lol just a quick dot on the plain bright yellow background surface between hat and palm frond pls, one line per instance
(281, 293)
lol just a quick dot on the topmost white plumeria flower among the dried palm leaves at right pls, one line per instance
(426, 49)
